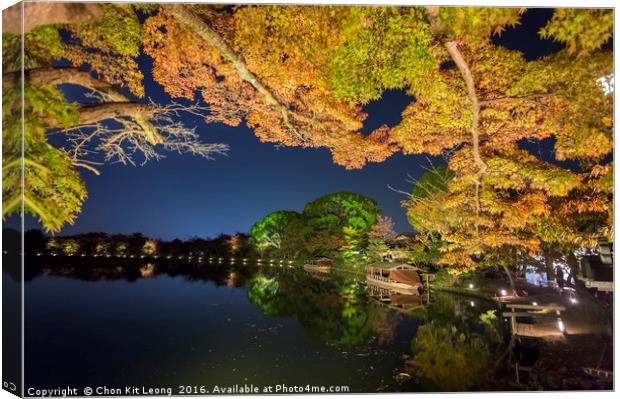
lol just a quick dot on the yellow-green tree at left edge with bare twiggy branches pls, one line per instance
(111, 126)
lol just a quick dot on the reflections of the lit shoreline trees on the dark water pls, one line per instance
(452, 347)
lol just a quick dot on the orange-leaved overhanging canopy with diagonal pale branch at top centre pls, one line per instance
(264, 65)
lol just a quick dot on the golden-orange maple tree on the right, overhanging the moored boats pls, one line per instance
(503, 203)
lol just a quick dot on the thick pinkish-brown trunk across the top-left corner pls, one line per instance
(38, 14)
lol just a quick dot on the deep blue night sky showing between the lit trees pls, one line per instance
(183, 196)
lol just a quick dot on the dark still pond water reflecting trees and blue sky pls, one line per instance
(169, 326)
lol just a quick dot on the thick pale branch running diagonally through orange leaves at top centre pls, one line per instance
(185, 16)
